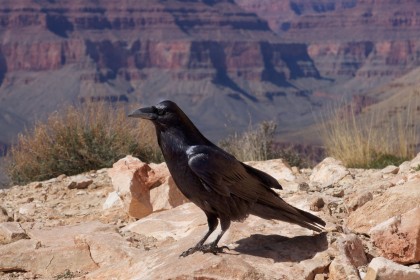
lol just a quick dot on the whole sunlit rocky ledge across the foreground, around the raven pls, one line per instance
(131, 222)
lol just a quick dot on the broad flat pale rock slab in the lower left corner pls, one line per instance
(51, 251)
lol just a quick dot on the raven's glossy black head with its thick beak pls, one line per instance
(164, 113)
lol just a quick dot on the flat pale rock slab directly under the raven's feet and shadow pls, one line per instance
(260, 249)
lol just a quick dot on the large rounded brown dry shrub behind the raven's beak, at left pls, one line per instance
(79, 139)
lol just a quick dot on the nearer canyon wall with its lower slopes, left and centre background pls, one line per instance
(194, 52)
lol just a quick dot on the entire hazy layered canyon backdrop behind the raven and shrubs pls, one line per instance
(227, 63)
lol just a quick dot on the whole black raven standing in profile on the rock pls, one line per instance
(223, 187)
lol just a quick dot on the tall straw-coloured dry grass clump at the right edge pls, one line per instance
(373, 140)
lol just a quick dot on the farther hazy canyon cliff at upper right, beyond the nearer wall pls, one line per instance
(374, 41)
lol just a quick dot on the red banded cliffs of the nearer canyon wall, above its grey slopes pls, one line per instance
(126, 37)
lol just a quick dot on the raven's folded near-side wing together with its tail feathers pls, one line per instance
(222, 173)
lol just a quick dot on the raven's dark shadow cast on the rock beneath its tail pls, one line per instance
(281, 248)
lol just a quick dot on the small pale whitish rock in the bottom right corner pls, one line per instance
(383, 269)
